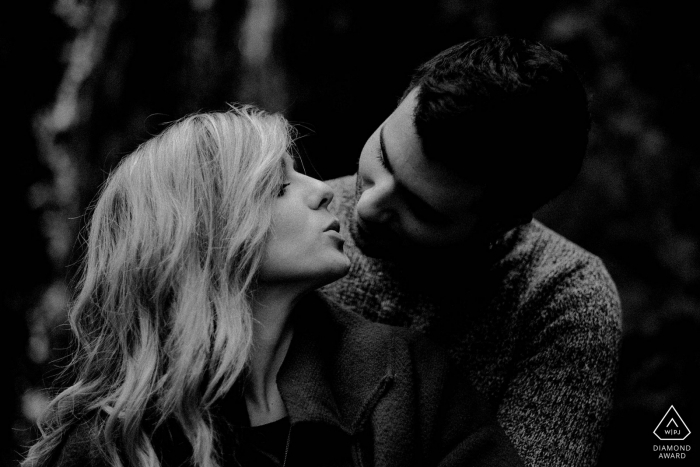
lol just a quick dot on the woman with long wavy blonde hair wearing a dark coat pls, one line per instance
(198, 341)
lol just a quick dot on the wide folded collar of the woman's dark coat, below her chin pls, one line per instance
(338, 365)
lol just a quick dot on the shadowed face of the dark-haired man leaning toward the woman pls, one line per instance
(408, 203)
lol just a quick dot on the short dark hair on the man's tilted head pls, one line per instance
(509, 114)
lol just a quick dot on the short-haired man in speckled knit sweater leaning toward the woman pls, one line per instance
(442, 240)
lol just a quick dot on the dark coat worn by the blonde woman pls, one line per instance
(361, 394)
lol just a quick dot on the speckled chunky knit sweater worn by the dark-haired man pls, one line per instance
(536, 326)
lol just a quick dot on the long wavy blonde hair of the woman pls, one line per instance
(162, 315)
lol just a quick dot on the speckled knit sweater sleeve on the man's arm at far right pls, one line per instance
(558, 400)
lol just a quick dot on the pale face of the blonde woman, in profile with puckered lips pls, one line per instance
(305, 247)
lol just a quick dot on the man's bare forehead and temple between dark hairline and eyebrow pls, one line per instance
(431, 181)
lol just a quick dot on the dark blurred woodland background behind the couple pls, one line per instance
(84, 82)
